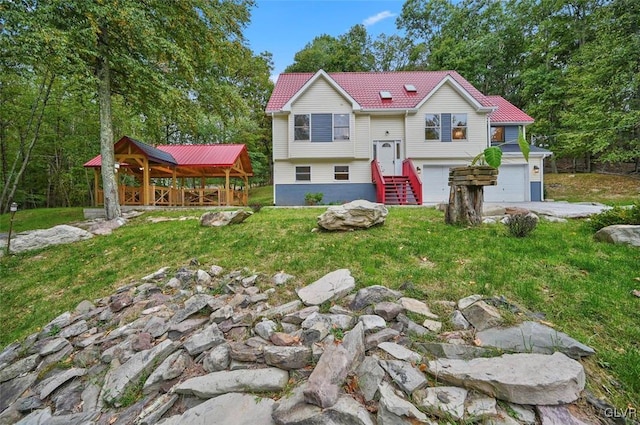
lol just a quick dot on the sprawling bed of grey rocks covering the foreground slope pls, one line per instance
(205, 346)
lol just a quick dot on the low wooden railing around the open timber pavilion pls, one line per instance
(185, 197)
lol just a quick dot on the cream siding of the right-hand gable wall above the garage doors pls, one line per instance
(446, 100)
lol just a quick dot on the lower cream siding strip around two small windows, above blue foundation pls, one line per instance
(322, 171)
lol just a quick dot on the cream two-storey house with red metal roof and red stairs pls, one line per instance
(391, 137)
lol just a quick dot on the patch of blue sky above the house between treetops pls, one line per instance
(284, 27)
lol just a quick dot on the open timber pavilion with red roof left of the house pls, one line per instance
(176, 175)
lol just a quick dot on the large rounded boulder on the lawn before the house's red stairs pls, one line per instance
(358, 214)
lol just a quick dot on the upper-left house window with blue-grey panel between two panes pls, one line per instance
(321, 127)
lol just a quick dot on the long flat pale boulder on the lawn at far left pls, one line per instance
(42, 238)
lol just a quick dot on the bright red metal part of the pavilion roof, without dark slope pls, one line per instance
(196, 155)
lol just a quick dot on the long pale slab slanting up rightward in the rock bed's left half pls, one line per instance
(118, 379)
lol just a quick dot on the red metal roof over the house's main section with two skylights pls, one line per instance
(365, 87)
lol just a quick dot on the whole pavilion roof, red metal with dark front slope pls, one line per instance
(193, 156)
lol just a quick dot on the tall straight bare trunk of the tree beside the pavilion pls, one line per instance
(109, 181)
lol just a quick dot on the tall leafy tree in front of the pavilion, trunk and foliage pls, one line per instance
(149, 52)
